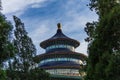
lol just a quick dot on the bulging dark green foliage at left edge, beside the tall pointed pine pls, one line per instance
(7, 48)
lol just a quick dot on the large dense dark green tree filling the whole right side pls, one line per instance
(104, 41)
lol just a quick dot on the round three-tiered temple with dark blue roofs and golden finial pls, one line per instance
(60, 58)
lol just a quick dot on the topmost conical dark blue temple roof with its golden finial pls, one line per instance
(59, 38)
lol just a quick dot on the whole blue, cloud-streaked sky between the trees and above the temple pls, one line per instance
(41, 17)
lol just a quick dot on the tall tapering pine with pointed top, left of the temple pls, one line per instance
(25, 50)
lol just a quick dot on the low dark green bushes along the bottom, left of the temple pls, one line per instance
(33, 74)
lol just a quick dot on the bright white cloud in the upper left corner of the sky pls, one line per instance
(18, 5)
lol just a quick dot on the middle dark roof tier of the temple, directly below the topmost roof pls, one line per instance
(60, 54)
